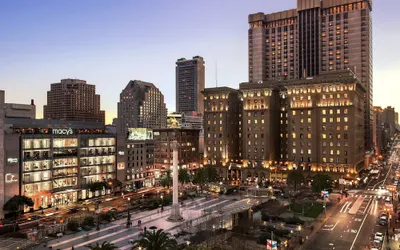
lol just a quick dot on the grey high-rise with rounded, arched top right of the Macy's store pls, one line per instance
(141, 105)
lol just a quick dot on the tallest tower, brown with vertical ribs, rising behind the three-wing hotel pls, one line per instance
(318, 36)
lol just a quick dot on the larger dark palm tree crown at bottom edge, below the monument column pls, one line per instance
(155, 240)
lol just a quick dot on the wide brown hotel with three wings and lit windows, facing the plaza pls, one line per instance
(315, 124)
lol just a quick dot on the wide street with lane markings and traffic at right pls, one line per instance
(354, 222)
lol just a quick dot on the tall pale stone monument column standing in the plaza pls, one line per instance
(175, 214)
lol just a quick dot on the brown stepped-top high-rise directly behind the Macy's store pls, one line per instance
(73, 100)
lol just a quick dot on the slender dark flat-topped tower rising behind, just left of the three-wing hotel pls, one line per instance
(190, 81)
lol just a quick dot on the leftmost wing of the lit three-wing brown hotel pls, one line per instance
(222, 130)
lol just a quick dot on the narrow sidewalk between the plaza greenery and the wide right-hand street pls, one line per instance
(319, 222)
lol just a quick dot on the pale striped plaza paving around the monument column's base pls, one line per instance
(117, 233)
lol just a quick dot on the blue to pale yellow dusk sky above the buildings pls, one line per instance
(109, 43)
